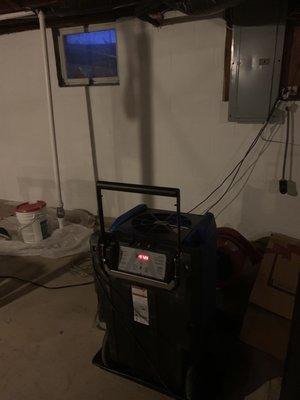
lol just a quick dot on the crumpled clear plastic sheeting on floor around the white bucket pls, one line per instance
(70, 240)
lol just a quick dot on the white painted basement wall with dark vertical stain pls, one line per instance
(165, 124)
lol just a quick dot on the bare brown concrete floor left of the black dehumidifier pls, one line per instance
(47, 341)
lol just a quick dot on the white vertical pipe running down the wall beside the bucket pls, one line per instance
(60, 205)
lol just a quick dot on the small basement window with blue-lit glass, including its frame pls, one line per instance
(86, 56)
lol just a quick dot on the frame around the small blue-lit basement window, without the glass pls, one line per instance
(58, 40)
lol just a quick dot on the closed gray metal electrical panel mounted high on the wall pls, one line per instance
(255, 71)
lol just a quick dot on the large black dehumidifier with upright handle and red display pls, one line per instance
(155, 274)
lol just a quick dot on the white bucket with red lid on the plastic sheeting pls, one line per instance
(33, 221)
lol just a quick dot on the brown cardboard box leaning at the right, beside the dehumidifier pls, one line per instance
(268, 319)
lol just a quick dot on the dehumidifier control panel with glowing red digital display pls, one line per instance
(142, 262)
